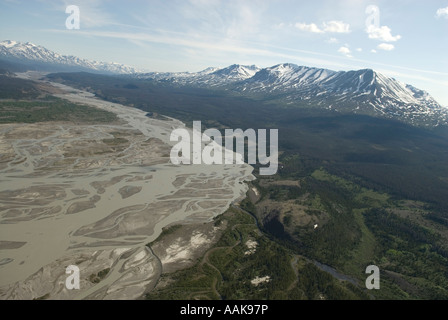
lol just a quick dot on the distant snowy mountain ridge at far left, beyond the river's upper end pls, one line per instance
(42, 58)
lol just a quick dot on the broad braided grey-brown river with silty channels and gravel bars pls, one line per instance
(93, 196)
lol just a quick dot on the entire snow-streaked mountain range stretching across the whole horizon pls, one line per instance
(357, 92)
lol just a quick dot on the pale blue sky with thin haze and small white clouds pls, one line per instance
(403, 39)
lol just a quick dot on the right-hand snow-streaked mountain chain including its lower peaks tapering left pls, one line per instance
(362, 91)
